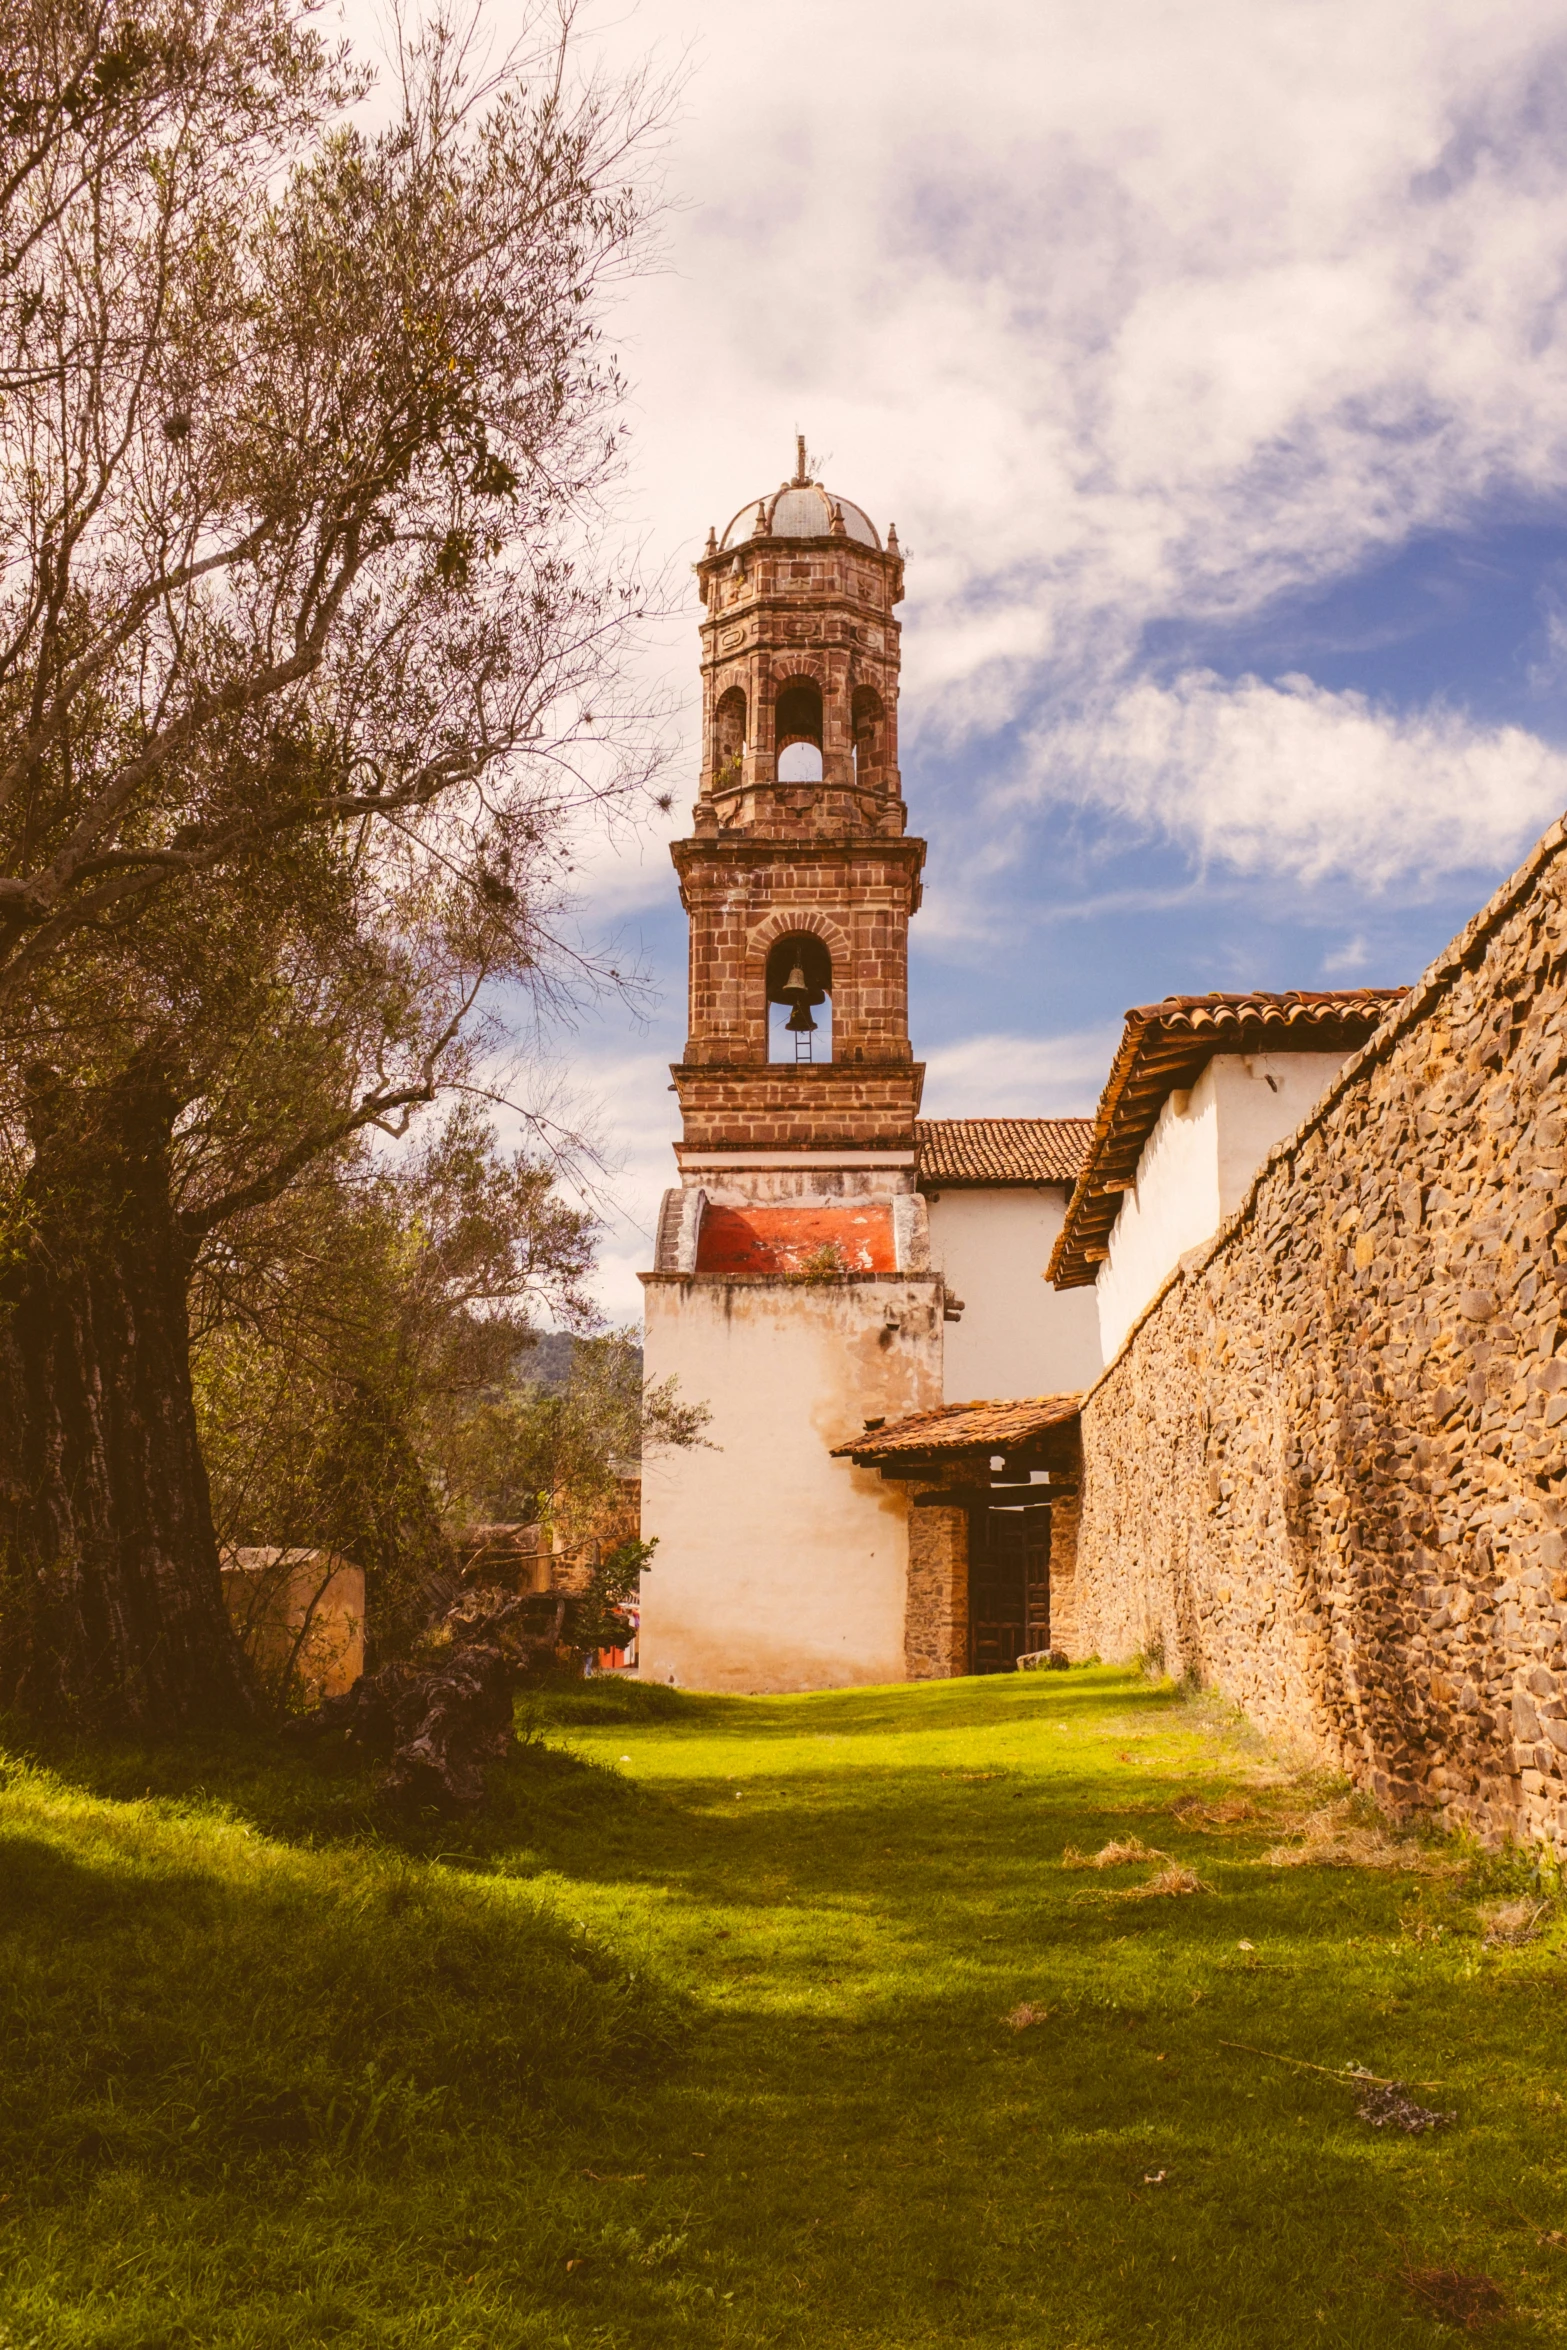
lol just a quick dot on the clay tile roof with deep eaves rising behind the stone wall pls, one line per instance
(1164, 1049)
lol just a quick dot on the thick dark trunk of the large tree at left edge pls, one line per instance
(112, 1606)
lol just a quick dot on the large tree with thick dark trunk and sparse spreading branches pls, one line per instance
(307, 654)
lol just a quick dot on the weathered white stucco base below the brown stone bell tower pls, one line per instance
(781, 1569)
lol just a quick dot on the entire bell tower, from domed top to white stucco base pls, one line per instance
(793, 1287)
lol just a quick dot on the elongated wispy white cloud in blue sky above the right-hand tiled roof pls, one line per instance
(1293, 779)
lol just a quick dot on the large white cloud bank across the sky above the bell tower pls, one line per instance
(1117, 314)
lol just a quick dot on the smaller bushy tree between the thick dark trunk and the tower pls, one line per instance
(347, 1329)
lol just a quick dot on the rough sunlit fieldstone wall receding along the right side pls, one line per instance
(1329, 1472)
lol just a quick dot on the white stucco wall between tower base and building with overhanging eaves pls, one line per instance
(1018, 1336)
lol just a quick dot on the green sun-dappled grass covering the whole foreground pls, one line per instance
(699, 2036)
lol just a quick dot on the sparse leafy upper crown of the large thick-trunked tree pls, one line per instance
(297, 441)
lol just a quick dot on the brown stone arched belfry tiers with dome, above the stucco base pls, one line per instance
(800, 864)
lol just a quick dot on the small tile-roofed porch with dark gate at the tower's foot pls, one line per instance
(993, 1493)
